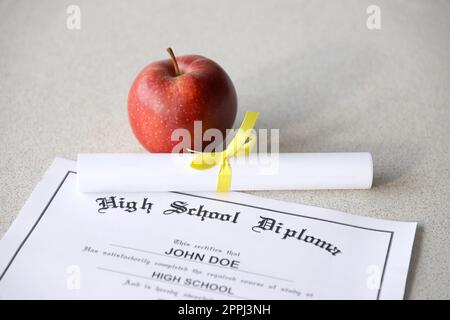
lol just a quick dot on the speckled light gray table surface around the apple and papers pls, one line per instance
(312, 68)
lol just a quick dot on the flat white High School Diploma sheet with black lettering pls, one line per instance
(66, 244)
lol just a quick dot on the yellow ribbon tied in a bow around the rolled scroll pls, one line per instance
(242, 143)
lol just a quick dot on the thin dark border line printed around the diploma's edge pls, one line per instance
(213, 199)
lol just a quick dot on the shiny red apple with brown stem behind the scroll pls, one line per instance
(173, 93)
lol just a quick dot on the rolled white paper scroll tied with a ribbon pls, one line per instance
(172, 172)
